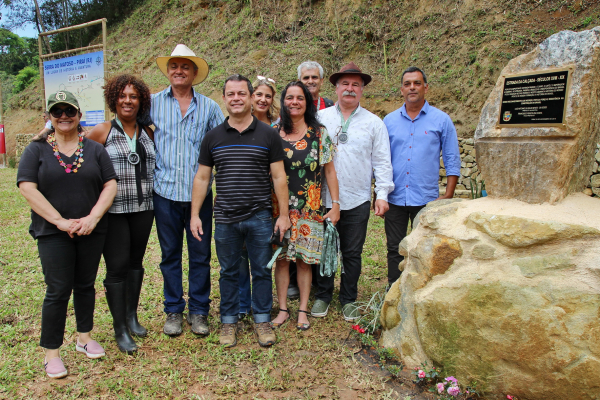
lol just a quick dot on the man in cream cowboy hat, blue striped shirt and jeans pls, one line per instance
(182, 117)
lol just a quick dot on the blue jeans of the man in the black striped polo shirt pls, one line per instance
(229, 240)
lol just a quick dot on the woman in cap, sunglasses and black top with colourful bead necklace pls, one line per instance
(69, 195)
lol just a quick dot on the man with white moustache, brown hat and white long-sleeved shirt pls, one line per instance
(363, 150)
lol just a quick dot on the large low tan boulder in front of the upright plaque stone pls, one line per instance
(504, 293)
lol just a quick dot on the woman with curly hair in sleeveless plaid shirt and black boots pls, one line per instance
(131, 149)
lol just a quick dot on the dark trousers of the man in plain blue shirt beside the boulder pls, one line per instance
(396, 224)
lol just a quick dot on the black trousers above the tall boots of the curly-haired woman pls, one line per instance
(125, 243)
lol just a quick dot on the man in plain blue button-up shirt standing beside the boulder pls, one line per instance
(418, 132)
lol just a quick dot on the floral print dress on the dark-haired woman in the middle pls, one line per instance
(305, 179)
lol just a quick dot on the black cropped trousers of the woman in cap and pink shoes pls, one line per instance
(69, 265)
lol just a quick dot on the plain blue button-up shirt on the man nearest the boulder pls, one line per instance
(415, 146)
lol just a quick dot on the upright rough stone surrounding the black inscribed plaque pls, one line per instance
(545, 164)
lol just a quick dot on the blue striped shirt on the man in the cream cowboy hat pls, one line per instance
(178, 141)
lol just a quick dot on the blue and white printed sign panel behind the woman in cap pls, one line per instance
(82, 75)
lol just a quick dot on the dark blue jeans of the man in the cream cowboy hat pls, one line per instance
(172, 218)
